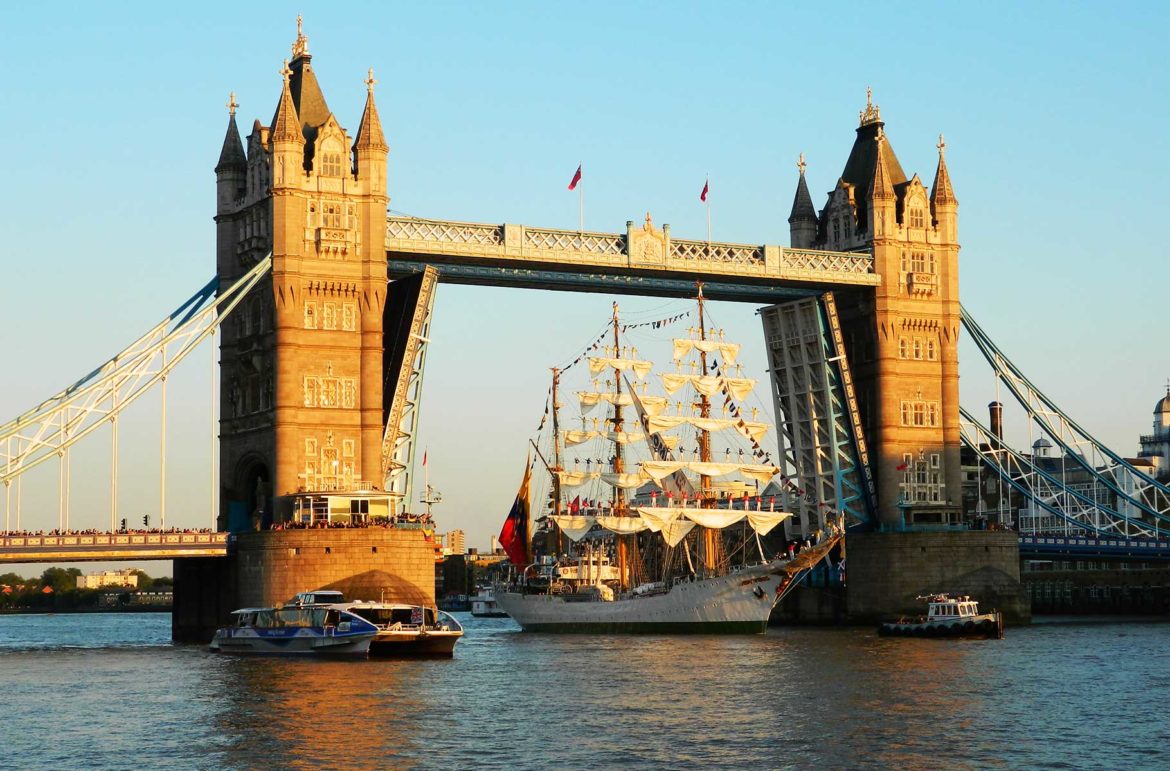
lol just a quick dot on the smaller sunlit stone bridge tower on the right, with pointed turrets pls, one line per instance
(903, 338)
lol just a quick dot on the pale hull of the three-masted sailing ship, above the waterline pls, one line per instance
(739, 603)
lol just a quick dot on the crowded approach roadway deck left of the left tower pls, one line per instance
(74, 548)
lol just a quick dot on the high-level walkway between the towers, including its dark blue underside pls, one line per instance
(644, 260)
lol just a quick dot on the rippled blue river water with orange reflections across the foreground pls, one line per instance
(111, 692)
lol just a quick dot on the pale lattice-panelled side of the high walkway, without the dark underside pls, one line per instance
(643, 250)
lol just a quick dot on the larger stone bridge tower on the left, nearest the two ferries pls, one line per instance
(302, 360)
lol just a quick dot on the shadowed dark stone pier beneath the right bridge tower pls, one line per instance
(886, 572)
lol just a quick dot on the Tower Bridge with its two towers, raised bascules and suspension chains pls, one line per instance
(324, 302)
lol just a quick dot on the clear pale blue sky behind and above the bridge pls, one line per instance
(1055, 115)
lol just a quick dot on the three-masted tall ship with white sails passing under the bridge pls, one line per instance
(675, 542)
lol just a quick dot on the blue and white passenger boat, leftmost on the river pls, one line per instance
(313, 623)
